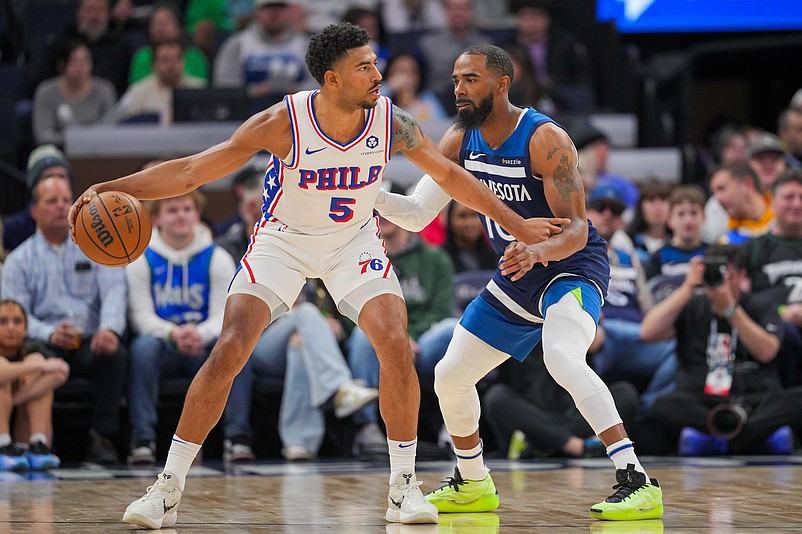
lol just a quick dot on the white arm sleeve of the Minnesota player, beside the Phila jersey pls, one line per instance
(413, 212)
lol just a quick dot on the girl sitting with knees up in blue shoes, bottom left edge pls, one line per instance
(28, 378)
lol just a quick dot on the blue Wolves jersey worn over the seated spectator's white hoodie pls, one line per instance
(180, 292)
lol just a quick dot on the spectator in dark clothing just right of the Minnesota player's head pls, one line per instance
(560, 61)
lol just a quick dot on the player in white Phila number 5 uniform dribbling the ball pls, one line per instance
(329, 149)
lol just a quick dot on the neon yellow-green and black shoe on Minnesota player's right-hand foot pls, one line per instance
(634, 498)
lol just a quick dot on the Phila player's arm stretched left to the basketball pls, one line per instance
(179, 176)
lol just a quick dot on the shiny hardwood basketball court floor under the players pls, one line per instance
(722, 495)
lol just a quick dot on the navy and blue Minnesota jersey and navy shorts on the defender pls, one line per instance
(507, 171)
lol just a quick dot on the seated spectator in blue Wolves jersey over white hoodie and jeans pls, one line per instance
(177, 292)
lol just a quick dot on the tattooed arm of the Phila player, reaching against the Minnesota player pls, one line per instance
(459, 183)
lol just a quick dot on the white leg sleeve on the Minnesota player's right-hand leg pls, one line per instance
(567, 333)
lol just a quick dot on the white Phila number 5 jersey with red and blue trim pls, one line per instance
(323, 186)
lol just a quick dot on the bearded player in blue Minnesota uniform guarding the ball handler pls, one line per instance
(550, 291)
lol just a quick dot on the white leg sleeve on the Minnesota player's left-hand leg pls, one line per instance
(466, 361)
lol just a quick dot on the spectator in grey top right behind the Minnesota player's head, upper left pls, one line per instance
(439, 48)
